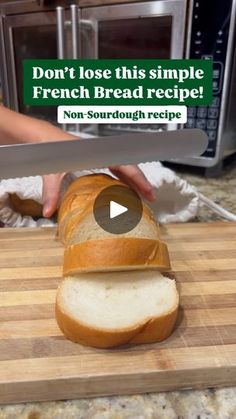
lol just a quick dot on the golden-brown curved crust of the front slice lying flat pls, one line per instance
(154, 329)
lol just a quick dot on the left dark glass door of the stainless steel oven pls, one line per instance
(28, 29)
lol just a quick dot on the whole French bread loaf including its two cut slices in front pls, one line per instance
(113, 291)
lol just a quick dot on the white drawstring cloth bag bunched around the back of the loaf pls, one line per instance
(176, 200)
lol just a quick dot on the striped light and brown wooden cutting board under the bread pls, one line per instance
(38, 363)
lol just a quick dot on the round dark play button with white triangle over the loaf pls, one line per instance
(117, 209)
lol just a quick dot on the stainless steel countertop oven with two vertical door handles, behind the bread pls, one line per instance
(151, 29)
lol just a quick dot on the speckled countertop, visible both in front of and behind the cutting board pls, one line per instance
(205, 404)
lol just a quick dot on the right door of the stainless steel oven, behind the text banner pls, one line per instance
(149, 30)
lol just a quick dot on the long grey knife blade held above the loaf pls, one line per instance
(20, 160)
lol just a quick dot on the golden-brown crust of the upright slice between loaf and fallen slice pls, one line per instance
(124, 254)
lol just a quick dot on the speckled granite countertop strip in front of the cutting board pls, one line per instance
(205, 404)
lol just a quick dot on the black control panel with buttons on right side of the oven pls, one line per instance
(209, 40)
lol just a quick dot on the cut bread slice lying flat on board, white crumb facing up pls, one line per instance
(110, 309)
